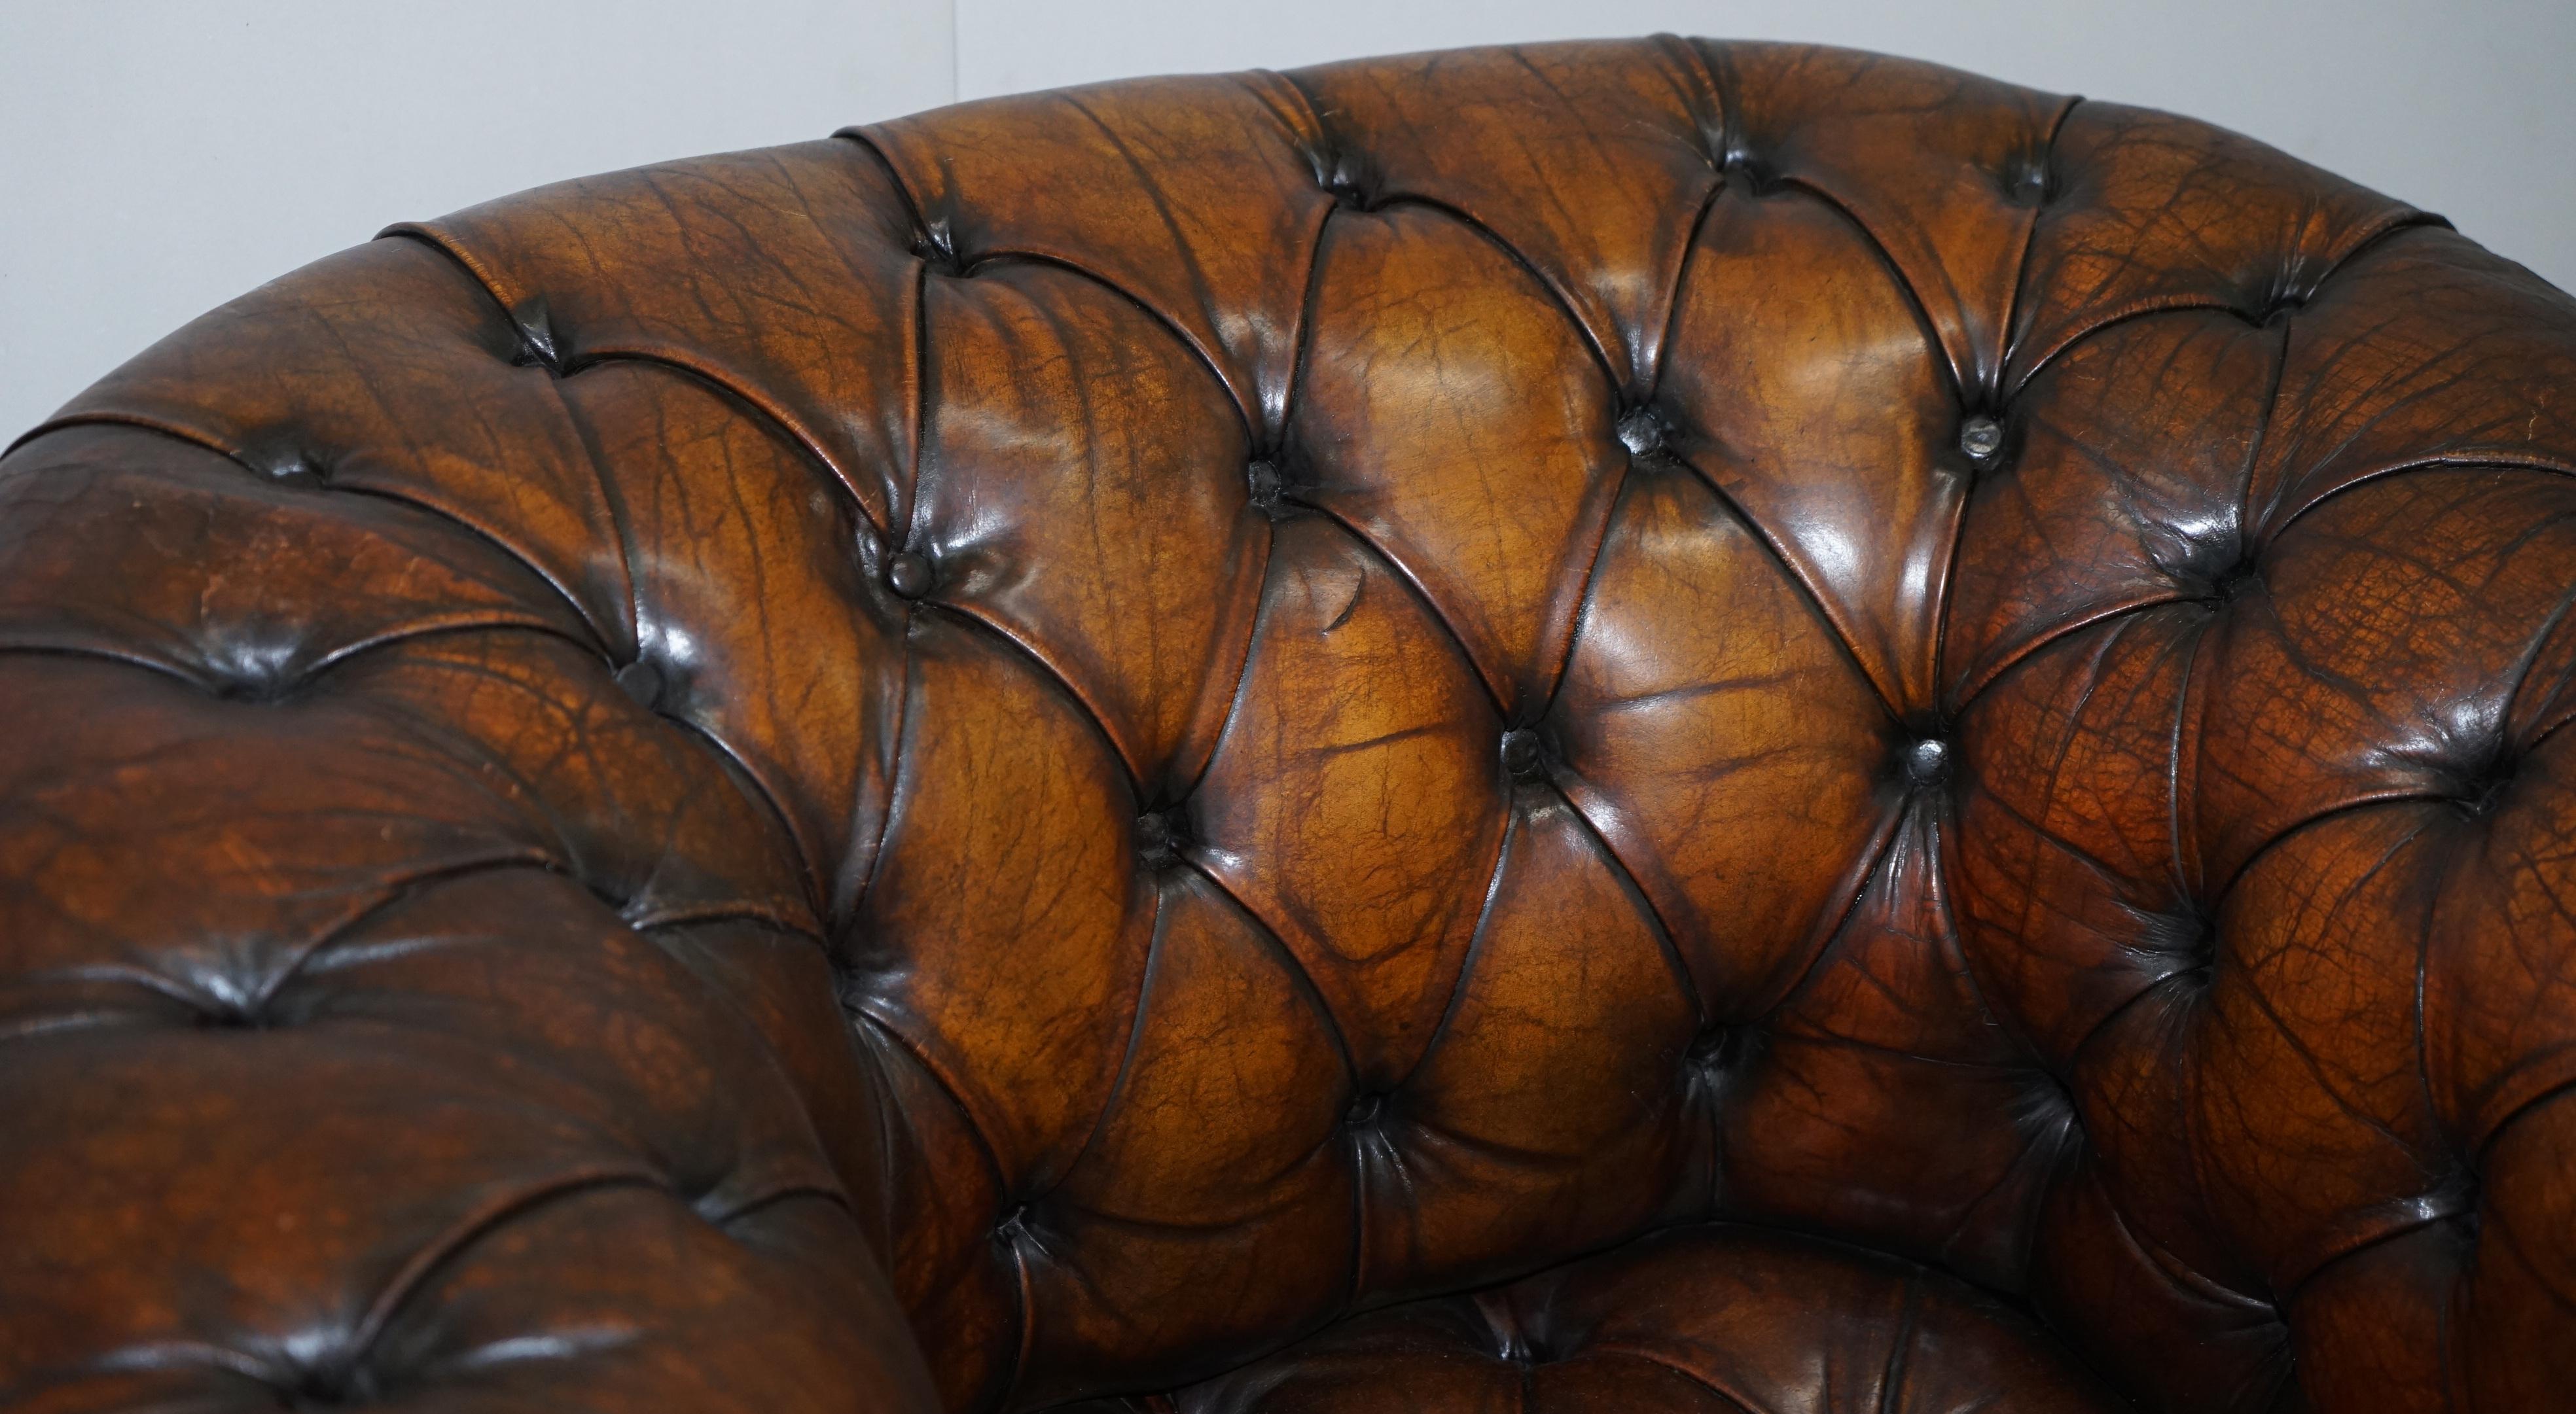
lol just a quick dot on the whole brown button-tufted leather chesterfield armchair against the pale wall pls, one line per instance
(1588, 728)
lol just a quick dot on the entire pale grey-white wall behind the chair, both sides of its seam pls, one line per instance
(164, 156)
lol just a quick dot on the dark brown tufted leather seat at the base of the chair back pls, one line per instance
(1704, 1320)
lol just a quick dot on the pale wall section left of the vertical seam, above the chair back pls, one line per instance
(164, 156)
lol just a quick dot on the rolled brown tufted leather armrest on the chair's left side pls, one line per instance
(390, 1003)
